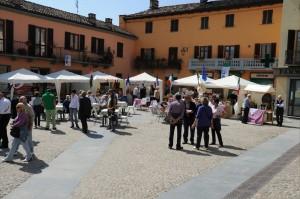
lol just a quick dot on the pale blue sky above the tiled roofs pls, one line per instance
(107, 8)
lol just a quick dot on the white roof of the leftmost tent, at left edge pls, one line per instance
(24, 76)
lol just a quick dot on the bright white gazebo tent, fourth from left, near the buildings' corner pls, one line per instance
(147, 79)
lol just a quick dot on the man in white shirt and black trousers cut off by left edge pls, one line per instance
(5, 110)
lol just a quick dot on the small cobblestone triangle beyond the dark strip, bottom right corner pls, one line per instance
(285, 185)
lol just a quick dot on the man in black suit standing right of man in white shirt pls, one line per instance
(84, 111)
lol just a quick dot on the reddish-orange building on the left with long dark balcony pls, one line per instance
(46, 40)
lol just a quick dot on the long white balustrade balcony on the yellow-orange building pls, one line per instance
(234, 64)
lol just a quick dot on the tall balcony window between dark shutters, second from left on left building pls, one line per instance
(40, 42)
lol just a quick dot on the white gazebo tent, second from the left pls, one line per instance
(65, 76)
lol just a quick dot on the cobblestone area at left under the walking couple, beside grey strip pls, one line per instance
(48, 145)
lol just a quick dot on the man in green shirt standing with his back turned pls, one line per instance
(49, 105)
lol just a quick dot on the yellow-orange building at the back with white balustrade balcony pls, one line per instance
(180, 39)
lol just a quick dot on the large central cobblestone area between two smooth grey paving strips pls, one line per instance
(139, 165)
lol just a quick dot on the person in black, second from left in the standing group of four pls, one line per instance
(189, 118)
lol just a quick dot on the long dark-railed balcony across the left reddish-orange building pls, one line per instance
(57, 54)
